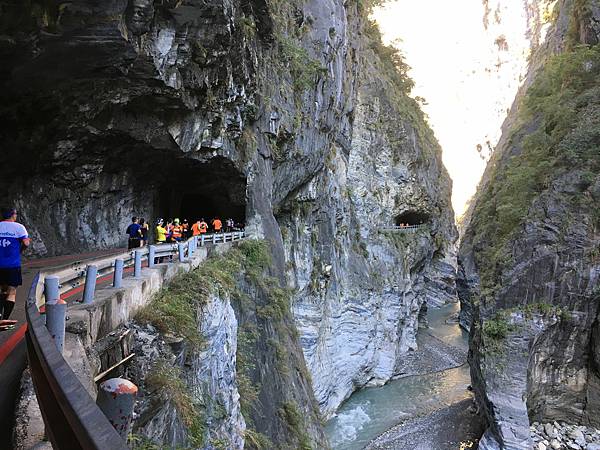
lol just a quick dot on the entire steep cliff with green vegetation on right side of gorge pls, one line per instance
(529, 260)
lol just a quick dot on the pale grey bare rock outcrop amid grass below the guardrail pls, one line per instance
(210, 374)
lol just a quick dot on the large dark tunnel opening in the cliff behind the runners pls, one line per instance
(87, 203)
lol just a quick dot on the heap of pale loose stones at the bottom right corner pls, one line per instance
(558, 435)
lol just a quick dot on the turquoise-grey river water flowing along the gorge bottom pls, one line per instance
(372, 411)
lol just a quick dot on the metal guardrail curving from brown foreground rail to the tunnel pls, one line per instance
(72, 419)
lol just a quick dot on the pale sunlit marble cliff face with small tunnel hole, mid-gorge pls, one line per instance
(361, 286)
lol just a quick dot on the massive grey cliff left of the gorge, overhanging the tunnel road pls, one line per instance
(288, 115)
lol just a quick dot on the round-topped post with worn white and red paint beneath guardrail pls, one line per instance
(116, 399)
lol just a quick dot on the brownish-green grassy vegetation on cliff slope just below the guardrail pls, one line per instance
(261, 304)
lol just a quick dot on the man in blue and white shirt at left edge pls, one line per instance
(13, 237)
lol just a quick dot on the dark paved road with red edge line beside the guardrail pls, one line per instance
(13, 359)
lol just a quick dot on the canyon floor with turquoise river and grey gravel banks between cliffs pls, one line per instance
(371, 412)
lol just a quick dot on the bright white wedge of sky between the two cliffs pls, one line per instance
(458, 68)
